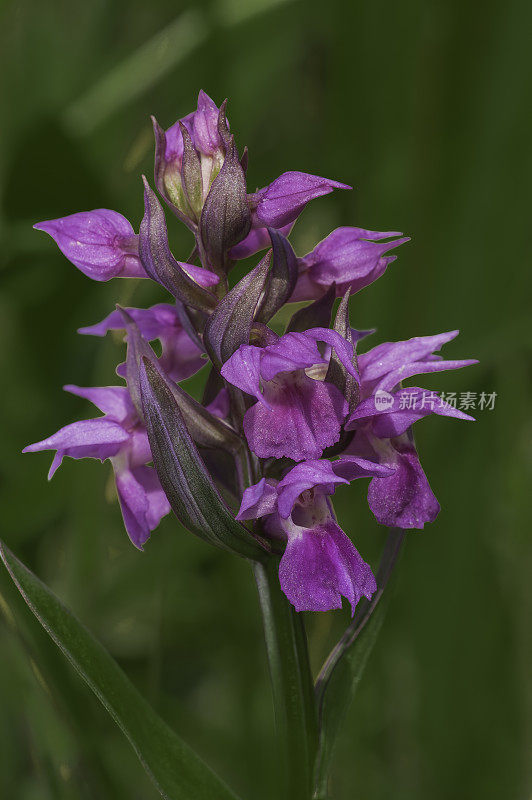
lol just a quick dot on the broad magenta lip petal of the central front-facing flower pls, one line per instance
(305, 417)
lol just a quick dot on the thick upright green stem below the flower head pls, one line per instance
(293, 696)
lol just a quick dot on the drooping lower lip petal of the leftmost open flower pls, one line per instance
(142, 501)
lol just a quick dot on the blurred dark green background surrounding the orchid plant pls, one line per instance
(421, 106)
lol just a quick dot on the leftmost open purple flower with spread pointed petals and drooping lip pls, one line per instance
(120, 437)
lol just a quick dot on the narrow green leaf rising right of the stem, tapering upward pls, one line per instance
(341, 673)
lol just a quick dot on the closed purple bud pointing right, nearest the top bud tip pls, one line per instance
(282, 201)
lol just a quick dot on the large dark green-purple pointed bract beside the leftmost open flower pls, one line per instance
(190, 489)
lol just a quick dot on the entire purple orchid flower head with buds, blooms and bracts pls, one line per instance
(297, 411)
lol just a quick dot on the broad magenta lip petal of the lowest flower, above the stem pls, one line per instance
(320, 565)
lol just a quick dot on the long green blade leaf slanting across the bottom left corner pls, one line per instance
(176, 770)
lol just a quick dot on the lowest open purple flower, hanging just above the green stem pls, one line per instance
(320, 563)
